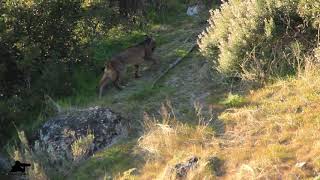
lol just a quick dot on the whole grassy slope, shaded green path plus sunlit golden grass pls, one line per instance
(233, 132)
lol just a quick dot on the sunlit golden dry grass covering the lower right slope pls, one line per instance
(275, 135)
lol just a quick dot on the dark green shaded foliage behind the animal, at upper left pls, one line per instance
(47, 48)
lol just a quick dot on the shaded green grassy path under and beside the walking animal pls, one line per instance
(191, 81)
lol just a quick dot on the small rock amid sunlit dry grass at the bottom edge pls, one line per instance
(181, 170)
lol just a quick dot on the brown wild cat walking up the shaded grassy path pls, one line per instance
(135, 55)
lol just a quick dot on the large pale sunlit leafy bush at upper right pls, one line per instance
(257, 39)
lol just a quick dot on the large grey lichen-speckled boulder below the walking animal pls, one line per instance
(98, 127)
